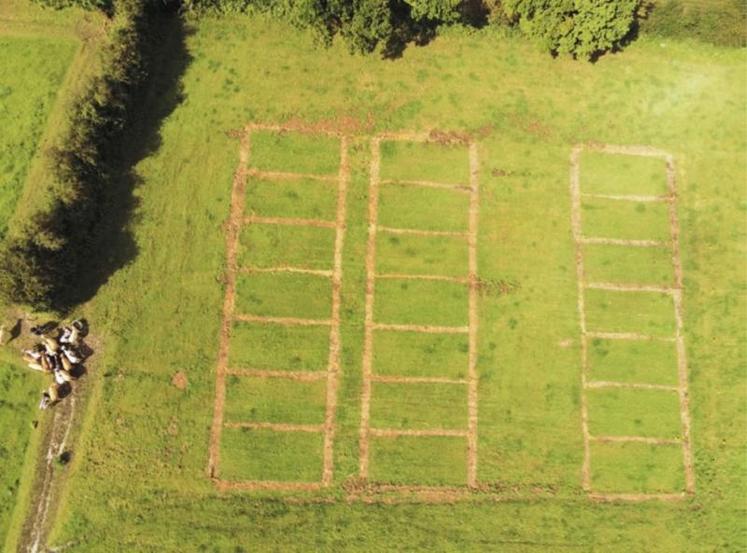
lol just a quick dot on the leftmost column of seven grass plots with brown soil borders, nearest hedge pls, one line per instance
(280, 440)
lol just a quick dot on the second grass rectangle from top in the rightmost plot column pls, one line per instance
(602, 218)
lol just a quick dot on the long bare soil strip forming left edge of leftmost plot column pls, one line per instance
(232, 240)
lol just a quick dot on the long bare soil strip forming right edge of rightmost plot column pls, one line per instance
(682, 375)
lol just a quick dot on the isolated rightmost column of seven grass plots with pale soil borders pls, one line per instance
(635, 420)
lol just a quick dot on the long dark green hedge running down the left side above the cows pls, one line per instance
(44, 258)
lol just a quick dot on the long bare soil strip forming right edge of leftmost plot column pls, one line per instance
(333, 368)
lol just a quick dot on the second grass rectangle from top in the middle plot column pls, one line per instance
(422, 208)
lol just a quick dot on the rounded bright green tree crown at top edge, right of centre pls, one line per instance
(582, 28)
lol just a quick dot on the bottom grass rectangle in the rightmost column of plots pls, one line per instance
(636, 468)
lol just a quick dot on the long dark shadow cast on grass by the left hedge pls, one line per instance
(110, 240)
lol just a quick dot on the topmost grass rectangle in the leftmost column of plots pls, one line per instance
(294, 152)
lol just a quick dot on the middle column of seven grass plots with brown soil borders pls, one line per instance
(426, 443)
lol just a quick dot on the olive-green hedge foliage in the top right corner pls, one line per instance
(720, 22)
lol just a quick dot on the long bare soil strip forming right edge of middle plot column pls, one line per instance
(474, 319)
